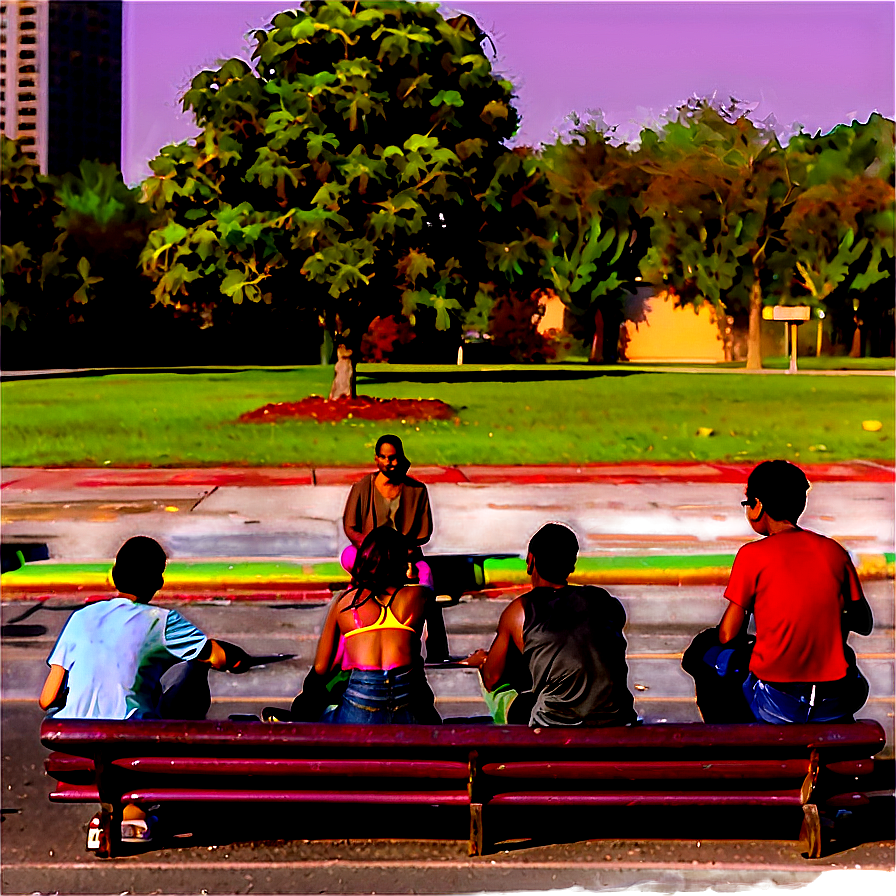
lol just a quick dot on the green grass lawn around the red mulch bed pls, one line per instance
(558, 414)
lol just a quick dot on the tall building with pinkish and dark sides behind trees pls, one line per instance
(61, 79)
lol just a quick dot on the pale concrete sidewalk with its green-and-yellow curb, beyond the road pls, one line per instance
(273, 533)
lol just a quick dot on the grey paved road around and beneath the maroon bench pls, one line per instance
(632, 851)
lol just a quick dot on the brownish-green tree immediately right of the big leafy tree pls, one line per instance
(570, 221)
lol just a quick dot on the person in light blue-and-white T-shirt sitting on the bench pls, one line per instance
(124, 659)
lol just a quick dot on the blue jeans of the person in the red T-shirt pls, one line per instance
(829, 701)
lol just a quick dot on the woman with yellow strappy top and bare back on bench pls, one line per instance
(378, 624)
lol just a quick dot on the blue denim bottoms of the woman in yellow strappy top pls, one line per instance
(377, 697)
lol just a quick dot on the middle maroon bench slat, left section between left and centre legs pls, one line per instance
(386, 768)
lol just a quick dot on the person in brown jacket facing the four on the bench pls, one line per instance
(389, 497)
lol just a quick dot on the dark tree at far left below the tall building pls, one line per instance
(70, 276)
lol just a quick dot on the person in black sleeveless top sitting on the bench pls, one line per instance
(570, 638)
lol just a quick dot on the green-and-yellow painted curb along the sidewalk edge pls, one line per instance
(303, 579)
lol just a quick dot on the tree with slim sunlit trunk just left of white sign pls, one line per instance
(719, 191)
